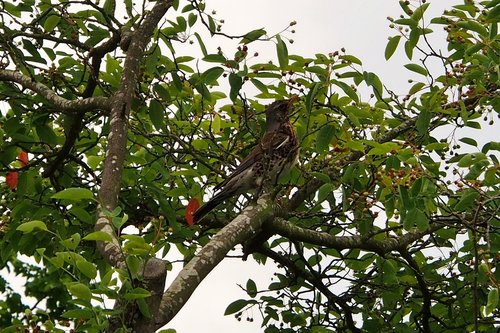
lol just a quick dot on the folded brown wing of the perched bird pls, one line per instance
(269, 142)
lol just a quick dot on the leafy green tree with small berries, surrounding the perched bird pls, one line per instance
(386, 224)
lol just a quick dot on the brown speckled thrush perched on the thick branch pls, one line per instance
(276, 153)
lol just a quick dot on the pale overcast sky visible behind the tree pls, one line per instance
(323, 26)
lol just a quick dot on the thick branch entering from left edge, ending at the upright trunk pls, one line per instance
(63, 104)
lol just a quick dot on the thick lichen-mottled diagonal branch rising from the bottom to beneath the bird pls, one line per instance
(243, 227)
